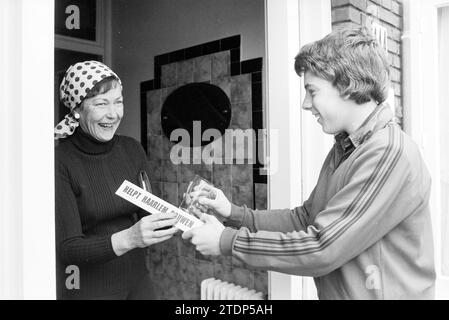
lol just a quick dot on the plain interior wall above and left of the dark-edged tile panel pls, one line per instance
(142, 29)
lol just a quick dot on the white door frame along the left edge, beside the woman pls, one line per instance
(27, 229)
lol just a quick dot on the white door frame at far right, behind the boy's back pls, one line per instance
(421, 104)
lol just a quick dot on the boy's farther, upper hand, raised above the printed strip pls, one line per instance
(213, 198)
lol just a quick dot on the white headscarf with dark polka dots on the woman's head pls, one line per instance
(79, 79)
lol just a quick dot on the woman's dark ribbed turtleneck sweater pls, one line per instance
(88, 212)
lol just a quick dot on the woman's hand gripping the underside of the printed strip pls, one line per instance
(144, 233)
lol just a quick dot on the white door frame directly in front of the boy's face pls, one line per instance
(297, 158)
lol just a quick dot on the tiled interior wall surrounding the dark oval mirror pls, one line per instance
(176, 269)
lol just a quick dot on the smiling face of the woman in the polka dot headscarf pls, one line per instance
(100, 115)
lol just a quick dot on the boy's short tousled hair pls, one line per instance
(350, 58)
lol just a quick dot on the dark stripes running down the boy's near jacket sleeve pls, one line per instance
(329, 234)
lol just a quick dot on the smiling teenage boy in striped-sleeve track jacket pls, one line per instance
(365, 231)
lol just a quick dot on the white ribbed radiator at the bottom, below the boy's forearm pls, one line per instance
(214, 289)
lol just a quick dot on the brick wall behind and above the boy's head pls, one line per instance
(387, 13)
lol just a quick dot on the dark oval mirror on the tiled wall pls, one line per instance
(193, 102)
